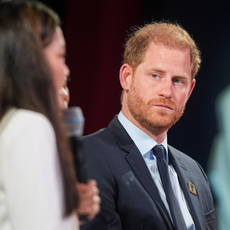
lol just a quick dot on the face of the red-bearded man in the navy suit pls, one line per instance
(160, 88)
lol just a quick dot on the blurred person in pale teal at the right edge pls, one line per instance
(219, 161)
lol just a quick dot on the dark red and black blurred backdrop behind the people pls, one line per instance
(95, 33)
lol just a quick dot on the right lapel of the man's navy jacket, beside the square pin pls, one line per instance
(192, 200)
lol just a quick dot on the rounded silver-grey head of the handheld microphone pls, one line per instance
(74, 120)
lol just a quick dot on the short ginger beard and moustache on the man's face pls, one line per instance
(155, 120)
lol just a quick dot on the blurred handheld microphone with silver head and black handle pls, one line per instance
(74, 120)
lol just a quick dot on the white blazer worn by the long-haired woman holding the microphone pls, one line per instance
(31, 190)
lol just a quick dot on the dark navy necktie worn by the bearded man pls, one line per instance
(162, 165)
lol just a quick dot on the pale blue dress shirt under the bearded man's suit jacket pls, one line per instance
(145, 144)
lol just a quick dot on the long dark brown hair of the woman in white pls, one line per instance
(25, 77)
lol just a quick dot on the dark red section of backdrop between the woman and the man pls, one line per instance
(95, 32)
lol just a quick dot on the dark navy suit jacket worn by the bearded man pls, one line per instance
(130, 199)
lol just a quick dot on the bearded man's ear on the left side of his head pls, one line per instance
(125, 76)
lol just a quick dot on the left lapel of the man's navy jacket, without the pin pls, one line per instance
(138, 166)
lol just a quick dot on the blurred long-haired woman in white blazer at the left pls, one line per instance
(37, 181)
